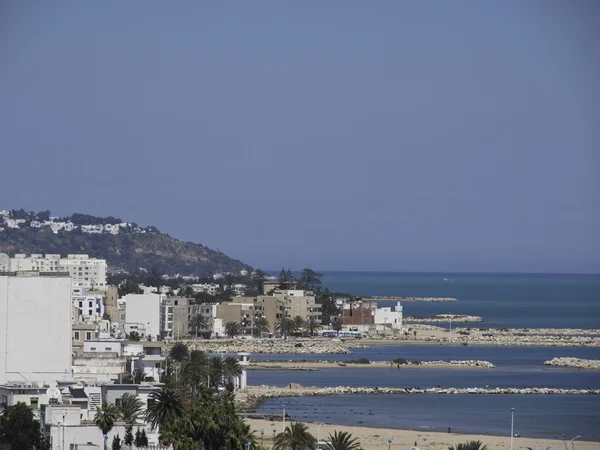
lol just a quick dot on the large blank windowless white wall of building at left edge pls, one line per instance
(35, 330)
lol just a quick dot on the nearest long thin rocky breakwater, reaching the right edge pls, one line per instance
(253, 395)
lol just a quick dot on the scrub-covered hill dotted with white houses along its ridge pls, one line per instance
(123, 245)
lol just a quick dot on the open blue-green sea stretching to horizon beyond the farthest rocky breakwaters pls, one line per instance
(512, 301)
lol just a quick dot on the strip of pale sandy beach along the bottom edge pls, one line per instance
(376, 438)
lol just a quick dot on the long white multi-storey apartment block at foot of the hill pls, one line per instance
(86, 273)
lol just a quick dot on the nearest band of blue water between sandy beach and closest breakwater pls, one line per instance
(535, 416)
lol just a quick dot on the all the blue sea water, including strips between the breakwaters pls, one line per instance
(504, 301)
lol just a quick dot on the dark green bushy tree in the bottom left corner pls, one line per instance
(19, 429)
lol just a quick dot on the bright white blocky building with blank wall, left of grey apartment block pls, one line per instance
(149, 315)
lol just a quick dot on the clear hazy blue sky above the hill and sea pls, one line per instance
(371, 135)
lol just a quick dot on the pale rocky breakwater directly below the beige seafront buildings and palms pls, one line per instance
(257, 346)
